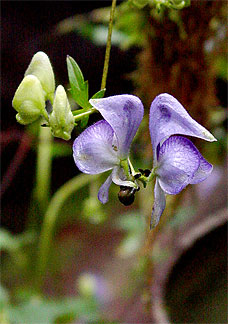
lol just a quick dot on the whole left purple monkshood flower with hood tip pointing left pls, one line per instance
(106, 144)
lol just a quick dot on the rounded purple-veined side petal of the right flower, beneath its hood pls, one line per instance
(178, 162)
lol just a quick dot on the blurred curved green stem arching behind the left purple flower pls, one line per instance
(50, 217)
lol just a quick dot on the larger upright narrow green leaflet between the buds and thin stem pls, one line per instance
(79, 87)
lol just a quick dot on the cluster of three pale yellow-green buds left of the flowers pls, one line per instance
(38, 87)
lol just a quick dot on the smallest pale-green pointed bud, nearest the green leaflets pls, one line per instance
(61, 119)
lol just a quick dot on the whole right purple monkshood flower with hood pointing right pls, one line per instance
(177, 162)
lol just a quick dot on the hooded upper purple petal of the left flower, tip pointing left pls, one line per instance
(124, 113)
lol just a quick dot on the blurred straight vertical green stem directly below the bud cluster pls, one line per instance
(43, 170)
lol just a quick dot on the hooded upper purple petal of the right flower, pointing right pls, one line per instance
(168, 117)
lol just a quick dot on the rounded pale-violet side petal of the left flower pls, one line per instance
(93, 151)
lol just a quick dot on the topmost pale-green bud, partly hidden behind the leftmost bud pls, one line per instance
(40, 66)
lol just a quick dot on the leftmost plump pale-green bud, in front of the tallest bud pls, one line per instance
(29, 100)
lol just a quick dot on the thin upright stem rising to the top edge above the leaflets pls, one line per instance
(108, 46)
